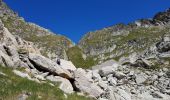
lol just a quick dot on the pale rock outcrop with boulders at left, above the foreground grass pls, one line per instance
(18, 53)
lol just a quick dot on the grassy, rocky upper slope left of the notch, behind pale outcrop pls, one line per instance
(50, 44)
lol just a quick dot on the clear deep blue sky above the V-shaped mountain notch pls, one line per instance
(74, 18)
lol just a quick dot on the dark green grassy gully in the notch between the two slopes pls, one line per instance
(76, 56)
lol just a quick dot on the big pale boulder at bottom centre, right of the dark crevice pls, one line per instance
(83, 84)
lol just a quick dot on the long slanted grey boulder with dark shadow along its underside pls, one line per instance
(42, 63)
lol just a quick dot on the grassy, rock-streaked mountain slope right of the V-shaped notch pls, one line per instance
(122, 40)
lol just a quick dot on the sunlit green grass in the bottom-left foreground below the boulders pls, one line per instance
(11, 86)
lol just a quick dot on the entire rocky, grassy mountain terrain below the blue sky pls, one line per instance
(126, 62)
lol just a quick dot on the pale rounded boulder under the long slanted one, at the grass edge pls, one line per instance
(65, 84)
